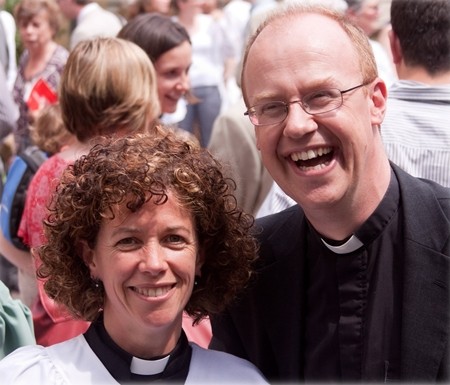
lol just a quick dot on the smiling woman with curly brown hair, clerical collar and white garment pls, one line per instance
(140, 229)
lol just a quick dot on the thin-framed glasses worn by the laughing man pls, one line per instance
(314, 103)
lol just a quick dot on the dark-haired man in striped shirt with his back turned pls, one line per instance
(416, 130)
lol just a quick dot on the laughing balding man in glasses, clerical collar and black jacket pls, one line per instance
(352, 283)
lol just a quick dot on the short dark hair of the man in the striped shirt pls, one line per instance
(423, 28)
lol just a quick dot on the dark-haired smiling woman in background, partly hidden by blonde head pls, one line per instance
(169, 47)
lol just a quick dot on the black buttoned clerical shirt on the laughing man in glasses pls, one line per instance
(352, 330)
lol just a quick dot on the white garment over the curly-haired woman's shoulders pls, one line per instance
(74, 362)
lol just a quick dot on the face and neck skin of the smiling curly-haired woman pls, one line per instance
(147, 262)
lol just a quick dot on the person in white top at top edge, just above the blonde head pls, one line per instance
(91, 20)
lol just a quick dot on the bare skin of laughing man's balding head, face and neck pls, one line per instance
(339, 191)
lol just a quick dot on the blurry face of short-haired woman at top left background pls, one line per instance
(37, 31)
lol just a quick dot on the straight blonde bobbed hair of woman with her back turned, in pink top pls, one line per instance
(108, 84)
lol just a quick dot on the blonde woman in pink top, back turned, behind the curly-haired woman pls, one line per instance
(97, 98)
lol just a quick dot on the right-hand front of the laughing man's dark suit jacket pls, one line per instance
(426, 309)
